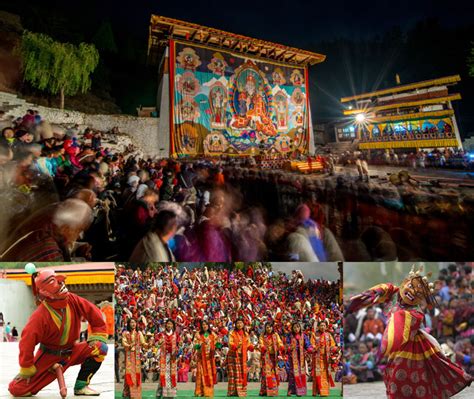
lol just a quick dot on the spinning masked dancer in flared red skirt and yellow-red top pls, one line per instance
(416, 366)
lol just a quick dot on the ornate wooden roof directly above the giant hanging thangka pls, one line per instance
(163, 28)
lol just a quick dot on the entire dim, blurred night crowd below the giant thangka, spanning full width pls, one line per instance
(73, 193)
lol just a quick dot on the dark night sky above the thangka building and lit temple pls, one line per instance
(321, 27)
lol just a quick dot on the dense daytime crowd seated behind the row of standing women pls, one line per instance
(152, 295)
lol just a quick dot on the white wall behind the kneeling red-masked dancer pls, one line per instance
(16, 302)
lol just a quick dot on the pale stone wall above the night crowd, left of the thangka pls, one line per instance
(143, 131)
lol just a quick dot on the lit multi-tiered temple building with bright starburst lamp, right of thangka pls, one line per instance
(411, 116)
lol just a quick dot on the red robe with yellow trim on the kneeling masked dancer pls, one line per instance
(57, 330)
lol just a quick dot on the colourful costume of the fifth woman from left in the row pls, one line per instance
(270, 345)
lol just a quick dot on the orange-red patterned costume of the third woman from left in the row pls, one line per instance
(206, 376)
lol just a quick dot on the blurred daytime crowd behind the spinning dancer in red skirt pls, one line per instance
(451, 322)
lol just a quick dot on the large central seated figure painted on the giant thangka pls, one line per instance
(251, 105)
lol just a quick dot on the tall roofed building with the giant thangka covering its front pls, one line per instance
(225, 93)
